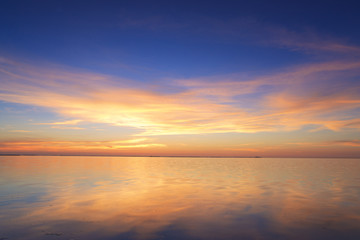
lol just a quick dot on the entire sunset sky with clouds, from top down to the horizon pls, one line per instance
(180, 78)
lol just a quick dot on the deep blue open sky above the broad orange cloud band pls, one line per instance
(184, 38)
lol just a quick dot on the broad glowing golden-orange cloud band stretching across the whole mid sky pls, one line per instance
(287, 100)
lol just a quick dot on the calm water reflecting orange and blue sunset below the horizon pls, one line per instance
(178, 198)
